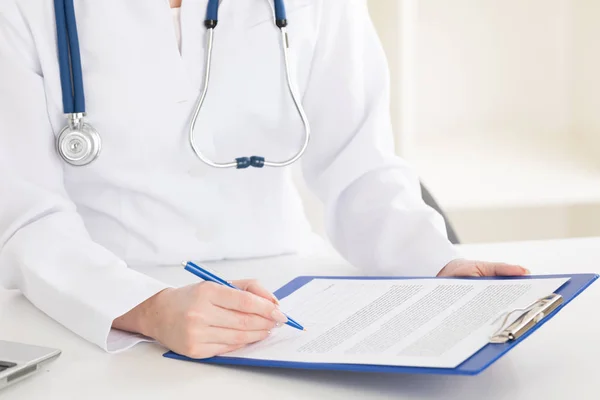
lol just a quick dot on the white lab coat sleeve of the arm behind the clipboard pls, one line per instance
(375, 215)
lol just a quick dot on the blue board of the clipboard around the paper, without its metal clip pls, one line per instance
(474, 365)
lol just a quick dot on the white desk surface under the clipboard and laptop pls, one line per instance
(558, 362)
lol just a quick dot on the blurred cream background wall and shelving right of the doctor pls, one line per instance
(497, 104)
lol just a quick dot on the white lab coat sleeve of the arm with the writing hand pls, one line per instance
(45, 250)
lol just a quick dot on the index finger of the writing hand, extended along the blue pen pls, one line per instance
(245, 302)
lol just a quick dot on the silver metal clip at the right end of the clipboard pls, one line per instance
(531, 315)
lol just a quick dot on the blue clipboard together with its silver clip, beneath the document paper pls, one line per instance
(530, 319)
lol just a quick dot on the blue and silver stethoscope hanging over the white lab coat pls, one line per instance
(79, 144)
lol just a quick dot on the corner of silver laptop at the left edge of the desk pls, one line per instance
(19, 361)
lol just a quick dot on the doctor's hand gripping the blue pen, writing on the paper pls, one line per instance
(206, 319)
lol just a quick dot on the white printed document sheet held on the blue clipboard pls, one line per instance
(437, 323)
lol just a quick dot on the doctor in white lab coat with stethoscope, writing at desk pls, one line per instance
(162, 162)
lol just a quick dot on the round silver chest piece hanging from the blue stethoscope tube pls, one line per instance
(78, 143)
